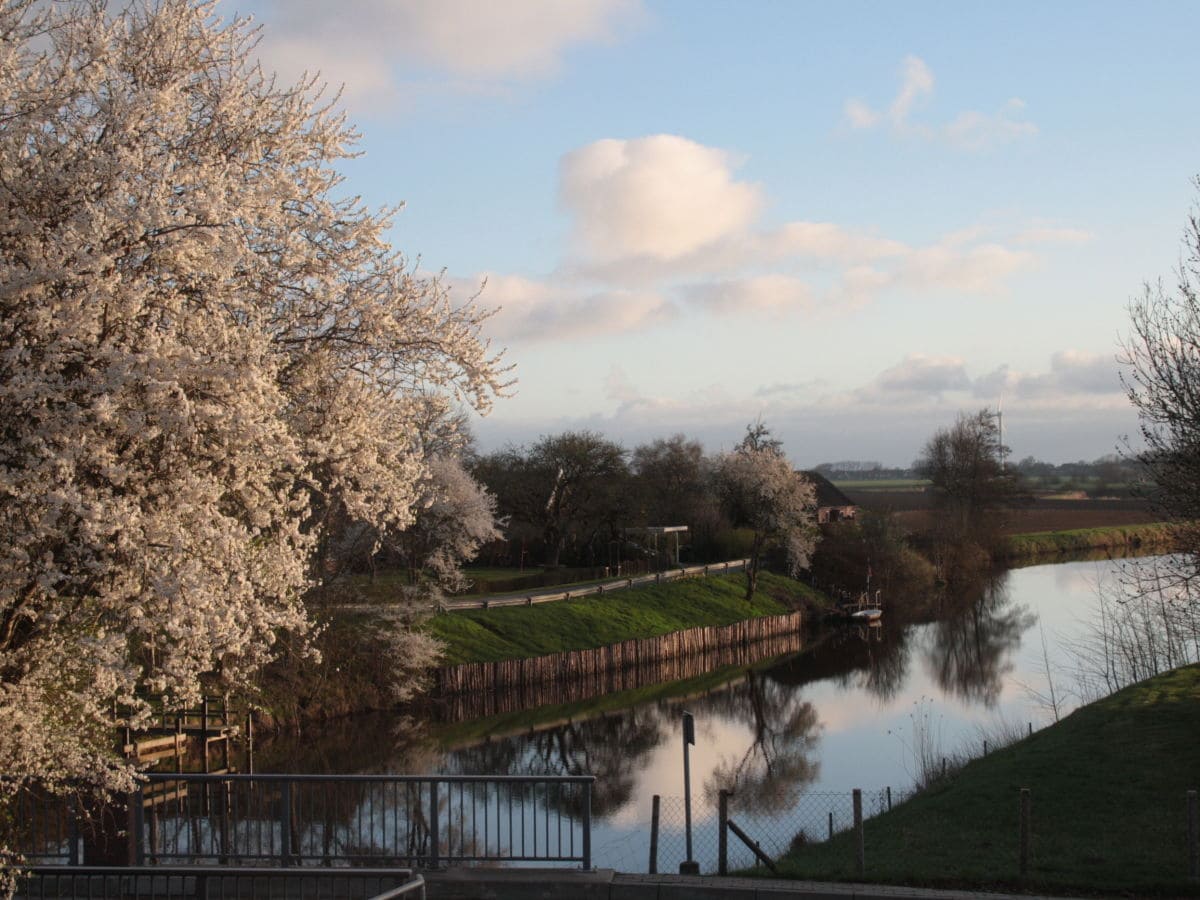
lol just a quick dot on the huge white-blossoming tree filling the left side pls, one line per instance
(206, 355)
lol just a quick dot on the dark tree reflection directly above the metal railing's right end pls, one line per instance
(614, 748)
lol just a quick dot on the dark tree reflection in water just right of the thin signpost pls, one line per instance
(778, 765)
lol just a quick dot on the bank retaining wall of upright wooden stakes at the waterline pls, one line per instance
(479, 689)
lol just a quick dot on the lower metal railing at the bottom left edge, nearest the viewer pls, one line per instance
(201, 884)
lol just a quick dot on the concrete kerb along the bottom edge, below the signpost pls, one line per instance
(478, 884)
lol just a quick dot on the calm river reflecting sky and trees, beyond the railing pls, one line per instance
(857, 710)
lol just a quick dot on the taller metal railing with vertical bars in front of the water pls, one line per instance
(416, 821)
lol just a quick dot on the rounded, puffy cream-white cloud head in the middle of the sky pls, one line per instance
(662, 197)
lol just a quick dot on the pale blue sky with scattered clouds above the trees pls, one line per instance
(854, 221)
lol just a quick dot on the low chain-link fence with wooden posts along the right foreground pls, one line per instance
(819, 832)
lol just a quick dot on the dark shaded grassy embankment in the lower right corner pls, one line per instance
(1108, 807)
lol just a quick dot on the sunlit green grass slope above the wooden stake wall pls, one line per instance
(517, 632)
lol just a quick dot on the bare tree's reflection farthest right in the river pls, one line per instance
(973, 643)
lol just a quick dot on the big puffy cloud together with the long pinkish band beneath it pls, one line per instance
(662, 226)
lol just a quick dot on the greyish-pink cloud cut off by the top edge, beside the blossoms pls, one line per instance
(373, 46)
